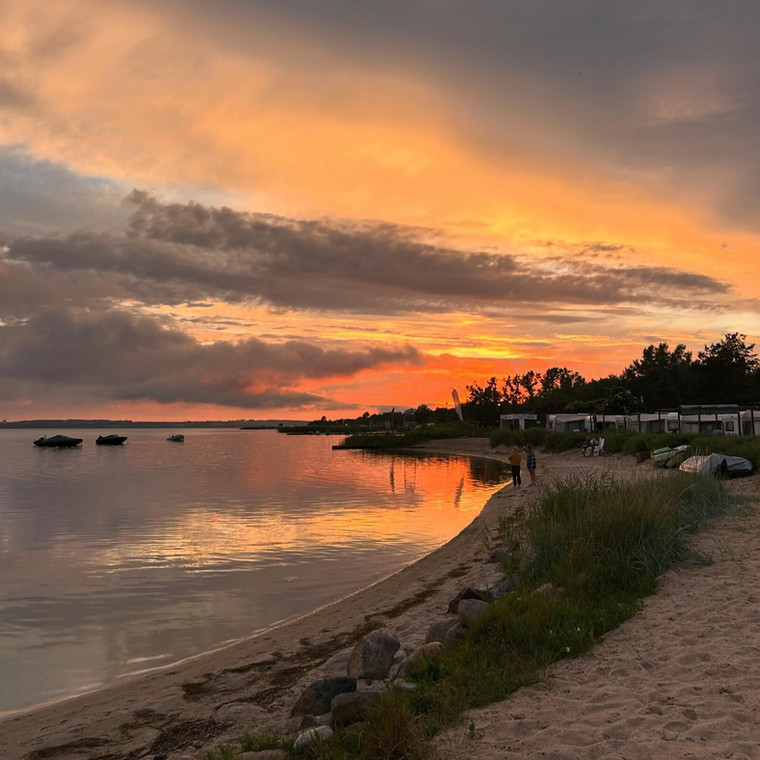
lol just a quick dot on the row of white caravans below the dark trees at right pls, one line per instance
(725, 419)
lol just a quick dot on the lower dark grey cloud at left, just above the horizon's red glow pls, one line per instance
(115, 355)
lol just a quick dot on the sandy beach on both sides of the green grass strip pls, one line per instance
(678, 680)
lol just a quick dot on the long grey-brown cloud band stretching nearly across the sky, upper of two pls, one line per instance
(172, 253)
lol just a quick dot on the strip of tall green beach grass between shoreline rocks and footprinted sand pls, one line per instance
(591, 549)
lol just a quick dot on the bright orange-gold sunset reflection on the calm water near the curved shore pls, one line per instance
(402, 500)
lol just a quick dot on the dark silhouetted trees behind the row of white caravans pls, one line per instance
(663, 378)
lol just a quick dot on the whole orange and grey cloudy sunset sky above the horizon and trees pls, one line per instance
(264, 209)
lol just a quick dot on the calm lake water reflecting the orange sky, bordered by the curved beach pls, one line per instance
(116, 560)
